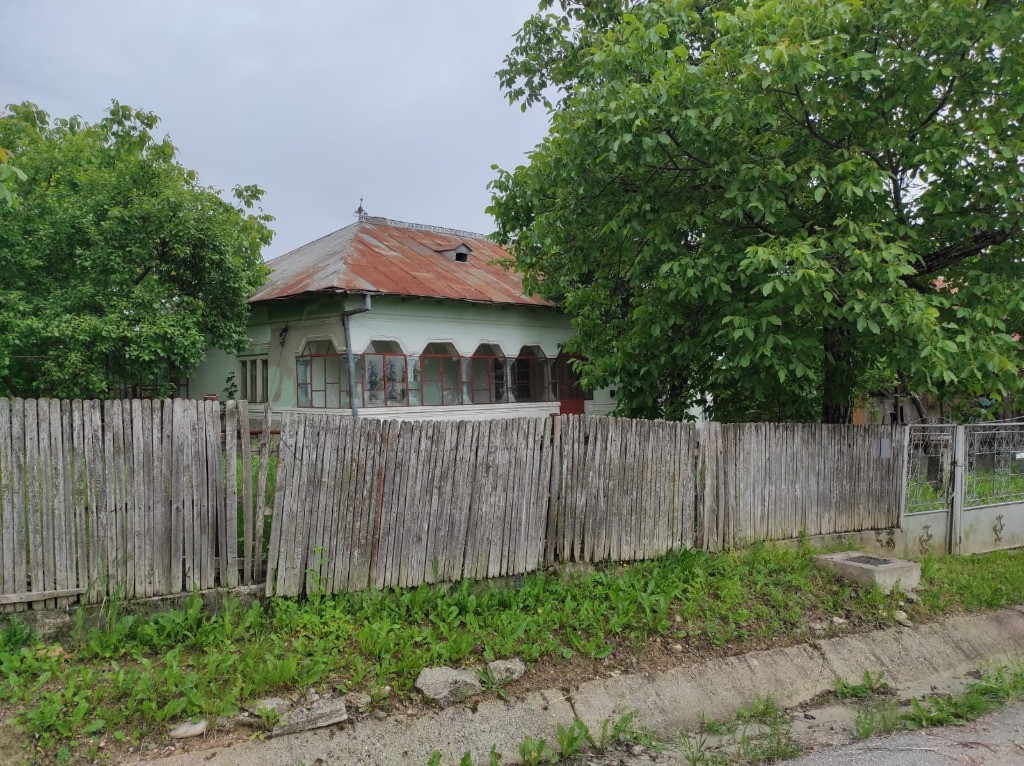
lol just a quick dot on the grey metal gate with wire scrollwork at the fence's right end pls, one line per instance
(965, 487)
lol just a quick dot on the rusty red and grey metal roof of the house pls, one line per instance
(387, 258)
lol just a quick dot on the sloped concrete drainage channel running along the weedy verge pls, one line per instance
(668, 703)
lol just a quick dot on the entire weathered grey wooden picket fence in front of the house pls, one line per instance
(147, 498)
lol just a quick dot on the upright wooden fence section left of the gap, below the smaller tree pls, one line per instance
(126, 499)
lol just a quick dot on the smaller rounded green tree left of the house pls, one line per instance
(117, 267)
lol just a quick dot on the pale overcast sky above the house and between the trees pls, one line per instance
(318, 103)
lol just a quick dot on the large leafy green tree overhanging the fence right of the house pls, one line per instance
(779, 205)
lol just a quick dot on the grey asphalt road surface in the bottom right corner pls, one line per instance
(993, 741)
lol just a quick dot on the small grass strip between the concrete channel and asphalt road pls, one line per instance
(992, 692)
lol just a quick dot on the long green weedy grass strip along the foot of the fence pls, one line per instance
(134, 677)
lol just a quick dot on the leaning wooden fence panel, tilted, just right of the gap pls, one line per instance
(382, 503)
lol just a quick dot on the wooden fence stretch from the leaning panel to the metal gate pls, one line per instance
(379, 504)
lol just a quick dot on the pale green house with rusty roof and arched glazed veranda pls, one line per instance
(438, 328)
